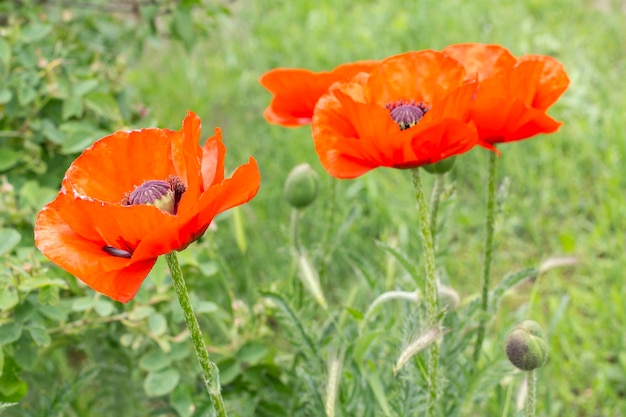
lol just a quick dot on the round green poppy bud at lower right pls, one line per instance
(526, 346)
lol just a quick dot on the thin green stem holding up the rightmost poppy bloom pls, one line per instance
(489, 226)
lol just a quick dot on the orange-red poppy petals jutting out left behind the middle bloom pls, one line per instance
(297, 90)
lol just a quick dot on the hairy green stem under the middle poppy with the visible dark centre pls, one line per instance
(430, 293)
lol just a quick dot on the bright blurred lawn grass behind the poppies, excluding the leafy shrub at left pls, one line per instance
(566, 193)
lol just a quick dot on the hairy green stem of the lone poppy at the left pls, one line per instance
(211, 373)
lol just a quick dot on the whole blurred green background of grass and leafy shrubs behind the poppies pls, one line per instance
(71, 72)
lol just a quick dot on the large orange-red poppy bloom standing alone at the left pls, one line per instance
(133, 196)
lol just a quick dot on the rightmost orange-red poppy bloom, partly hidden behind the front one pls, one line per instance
(514, 93)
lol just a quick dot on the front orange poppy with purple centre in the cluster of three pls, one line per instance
(412, 109)
